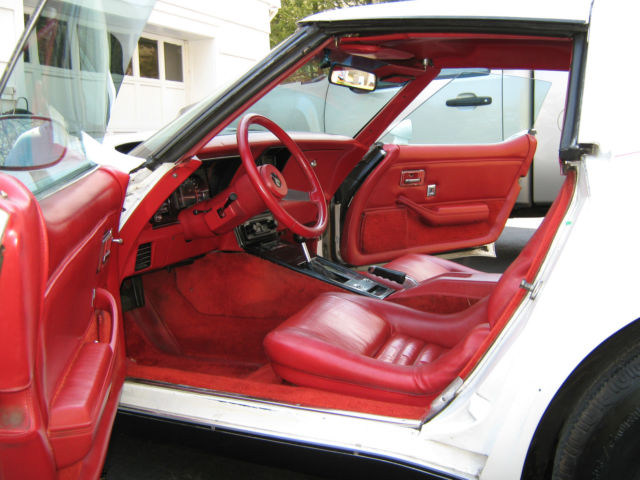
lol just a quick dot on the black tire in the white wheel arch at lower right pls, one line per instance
(601, 436)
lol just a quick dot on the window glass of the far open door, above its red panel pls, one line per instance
(473, 109)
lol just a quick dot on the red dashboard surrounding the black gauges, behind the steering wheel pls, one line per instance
(334, 157)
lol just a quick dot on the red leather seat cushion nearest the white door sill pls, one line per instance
(367, 347)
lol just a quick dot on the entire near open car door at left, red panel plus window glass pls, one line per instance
(61, 347)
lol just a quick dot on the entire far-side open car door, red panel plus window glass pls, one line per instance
(447, 175)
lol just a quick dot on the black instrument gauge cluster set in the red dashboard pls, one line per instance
(212, 177)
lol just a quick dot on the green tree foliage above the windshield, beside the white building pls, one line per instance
(284, 23)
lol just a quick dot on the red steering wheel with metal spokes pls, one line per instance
(269, 182)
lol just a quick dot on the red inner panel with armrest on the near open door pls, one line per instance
(77, 373)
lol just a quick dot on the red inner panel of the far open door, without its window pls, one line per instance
(433, 198)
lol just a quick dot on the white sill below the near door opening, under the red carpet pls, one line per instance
(335, 430)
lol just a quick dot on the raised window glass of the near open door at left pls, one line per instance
(58, 96)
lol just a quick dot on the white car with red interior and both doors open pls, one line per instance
(192, 287)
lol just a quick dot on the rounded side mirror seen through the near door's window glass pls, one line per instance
(31, 142)
